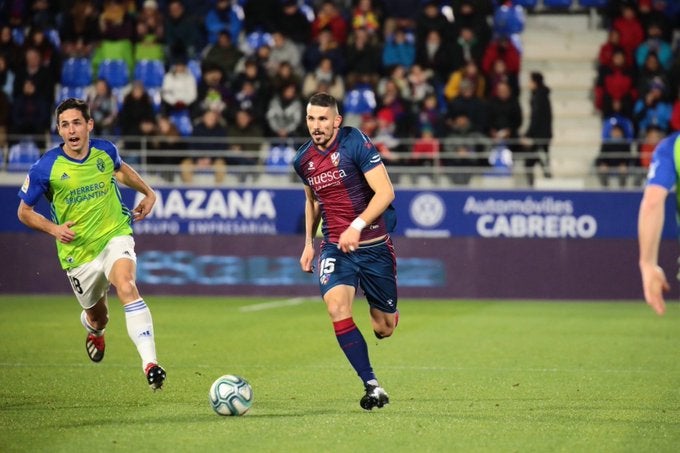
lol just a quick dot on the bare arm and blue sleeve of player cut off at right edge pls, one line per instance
(661, 178)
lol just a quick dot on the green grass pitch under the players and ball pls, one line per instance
(468, 376)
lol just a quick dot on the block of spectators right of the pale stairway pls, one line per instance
(637, 85)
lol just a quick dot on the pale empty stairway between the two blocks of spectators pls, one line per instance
(561, 47)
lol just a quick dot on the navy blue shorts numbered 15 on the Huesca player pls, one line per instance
(373, 267)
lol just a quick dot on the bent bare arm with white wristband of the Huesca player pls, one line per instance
(380, 182)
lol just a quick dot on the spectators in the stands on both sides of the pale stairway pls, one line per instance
(420, 77)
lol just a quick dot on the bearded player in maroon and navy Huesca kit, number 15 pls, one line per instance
(348, 188)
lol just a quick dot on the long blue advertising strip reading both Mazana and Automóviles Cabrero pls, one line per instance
(420, 213)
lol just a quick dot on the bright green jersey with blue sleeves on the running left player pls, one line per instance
(82, 191)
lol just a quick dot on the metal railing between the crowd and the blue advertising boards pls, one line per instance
(494, 165)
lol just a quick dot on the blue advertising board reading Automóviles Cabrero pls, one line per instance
(523, 214)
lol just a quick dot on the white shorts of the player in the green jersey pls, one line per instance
(90, 281)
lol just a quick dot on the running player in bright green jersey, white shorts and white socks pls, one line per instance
(92, 228)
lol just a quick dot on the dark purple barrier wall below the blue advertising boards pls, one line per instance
(437, 268)
